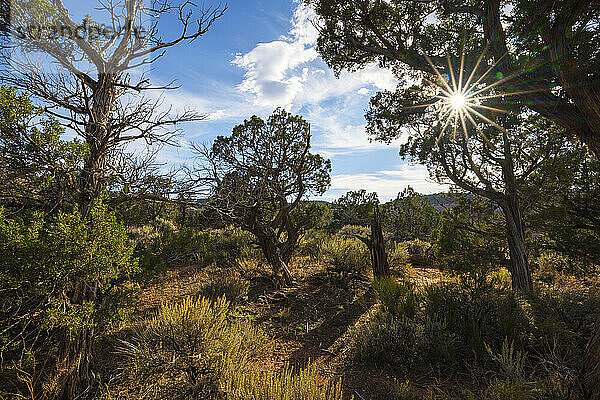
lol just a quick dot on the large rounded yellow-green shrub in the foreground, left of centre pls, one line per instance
(182, 351)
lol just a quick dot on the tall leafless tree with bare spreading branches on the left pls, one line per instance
(85, 76)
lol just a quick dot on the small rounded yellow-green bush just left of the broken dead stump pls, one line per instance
(346, 255)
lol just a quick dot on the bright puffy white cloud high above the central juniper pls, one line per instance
(288, 72)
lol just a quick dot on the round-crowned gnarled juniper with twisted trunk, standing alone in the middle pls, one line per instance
(265, 170)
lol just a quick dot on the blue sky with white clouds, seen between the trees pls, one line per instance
(261, 55)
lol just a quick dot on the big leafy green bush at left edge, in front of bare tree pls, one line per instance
(43, 259)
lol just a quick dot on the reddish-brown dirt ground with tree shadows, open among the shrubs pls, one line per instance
(307, 320)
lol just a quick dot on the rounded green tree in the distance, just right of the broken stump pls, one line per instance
(410, 216)
